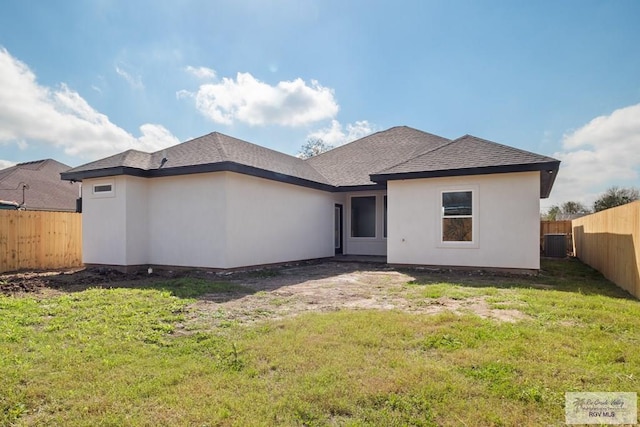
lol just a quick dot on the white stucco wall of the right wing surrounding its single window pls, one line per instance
(507, 222)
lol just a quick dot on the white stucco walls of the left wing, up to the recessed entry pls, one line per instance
(212, 220)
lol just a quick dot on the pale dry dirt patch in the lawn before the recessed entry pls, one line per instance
(336, 286)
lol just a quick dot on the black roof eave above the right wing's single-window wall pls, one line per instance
(548, 170)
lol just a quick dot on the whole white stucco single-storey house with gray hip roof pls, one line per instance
(220, 202)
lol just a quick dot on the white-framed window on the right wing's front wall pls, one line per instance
(457, 216)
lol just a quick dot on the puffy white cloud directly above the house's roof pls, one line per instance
(250, 101)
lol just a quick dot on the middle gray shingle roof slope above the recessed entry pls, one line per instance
(352, 164)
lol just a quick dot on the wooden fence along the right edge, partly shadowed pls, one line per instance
(609, 241)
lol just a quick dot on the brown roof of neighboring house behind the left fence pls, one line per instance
(41, 185)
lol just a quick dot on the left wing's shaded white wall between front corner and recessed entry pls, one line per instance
(270, 222)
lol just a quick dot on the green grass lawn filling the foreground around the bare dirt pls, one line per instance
(111, 357)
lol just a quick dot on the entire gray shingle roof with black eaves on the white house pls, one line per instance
(397, 153)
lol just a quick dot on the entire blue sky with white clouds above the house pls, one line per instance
(80, 80)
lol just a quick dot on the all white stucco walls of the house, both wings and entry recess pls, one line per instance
(226, 220)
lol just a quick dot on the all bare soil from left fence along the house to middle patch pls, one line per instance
(285, 291)
